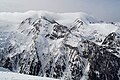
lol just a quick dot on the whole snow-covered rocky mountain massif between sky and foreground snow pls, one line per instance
(69, 46)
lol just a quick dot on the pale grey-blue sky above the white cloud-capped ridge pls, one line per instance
(108, 10)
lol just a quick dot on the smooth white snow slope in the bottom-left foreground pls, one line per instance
(7, 75)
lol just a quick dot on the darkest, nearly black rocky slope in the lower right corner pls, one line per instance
(103, 65)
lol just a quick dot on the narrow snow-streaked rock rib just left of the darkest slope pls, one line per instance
(76, 64)
